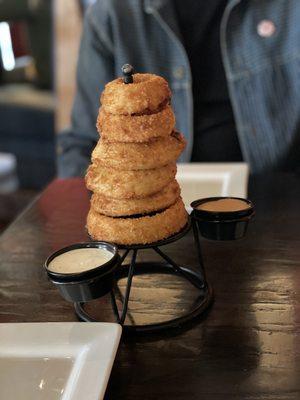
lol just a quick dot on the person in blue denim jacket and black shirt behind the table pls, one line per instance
(232, 65)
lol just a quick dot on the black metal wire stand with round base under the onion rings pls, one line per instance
(197, 279)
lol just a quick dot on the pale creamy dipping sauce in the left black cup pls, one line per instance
(79, 260)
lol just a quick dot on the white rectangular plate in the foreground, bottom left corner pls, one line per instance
(52, 361)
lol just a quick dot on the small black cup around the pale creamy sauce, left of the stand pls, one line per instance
(87, 285)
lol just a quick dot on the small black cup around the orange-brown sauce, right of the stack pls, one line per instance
(222, 225)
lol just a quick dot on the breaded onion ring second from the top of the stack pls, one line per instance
(138, 128)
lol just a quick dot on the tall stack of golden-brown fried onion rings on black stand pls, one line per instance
(136, 198)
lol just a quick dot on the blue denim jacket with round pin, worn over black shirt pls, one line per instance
(262, 66)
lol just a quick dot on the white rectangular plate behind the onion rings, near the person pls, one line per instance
(199, 180)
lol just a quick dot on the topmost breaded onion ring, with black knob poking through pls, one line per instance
(146, 94)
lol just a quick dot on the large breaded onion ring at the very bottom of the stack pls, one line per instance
(142, 230)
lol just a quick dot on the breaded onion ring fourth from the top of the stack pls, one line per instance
(128, 184)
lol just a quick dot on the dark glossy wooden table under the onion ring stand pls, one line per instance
(248, 346)
